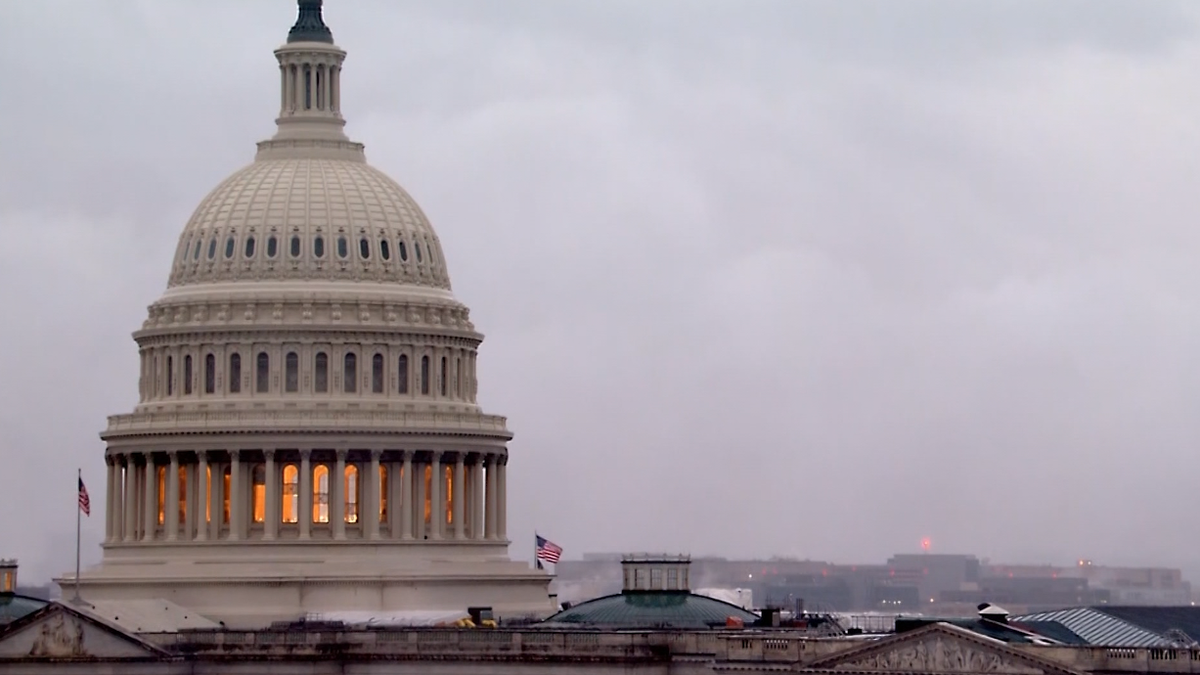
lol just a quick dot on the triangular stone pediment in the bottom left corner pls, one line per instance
(59, 632)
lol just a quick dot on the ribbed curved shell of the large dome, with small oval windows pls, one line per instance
(310, 219)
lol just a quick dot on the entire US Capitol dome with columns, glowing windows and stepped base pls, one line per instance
(308, 438)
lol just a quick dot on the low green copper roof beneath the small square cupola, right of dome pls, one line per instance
(652, 610)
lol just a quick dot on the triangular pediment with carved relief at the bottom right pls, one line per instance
(937, 649)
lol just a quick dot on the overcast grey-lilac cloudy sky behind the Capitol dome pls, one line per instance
(809, 279)
